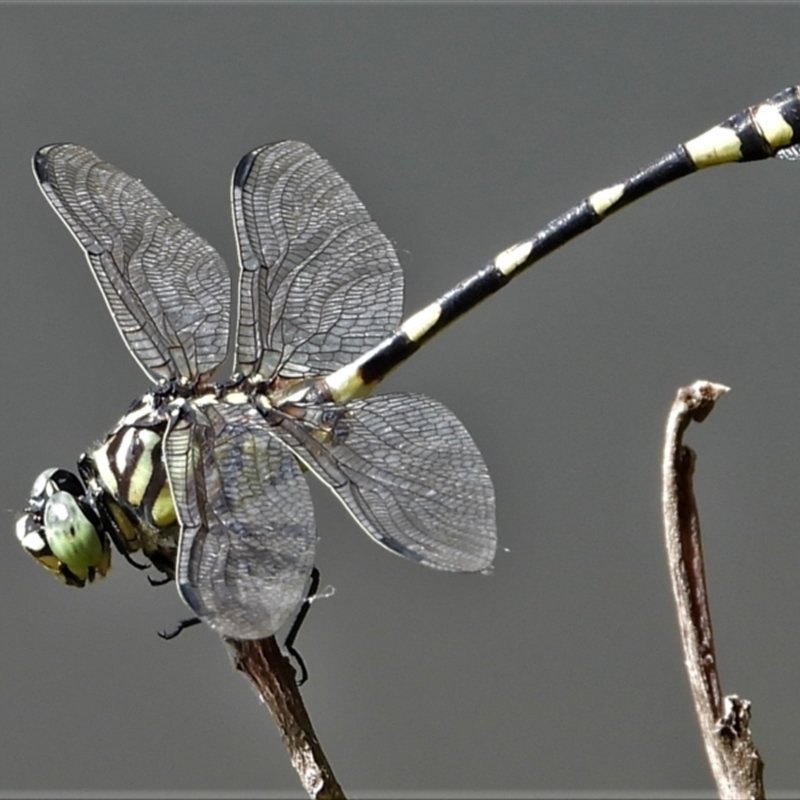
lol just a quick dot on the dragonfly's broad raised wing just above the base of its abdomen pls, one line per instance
(320, 284)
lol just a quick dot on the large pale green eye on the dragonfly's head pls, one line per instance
(72, 538)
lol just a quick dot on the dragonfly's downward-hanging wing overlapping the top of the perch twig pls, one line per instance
(247, 524)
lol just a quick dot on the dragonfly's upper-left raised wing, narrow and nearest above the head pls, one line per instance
(167, 289)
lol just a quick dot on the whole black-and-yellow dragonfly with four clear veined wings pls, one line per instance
(208, 479)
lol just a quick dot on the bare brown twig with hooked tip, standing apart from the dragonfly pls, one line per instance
(724, 721)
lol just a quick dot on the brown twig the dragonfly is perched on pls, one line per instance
(274, 678)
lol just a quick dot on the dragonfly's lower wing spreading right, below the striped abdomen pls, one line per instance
(408, 471)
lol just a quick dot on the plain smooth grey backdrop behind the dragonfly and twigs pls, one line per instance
(463, 128)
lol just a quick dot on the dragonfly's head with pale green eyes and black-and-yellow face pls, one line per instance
(61, 530)
